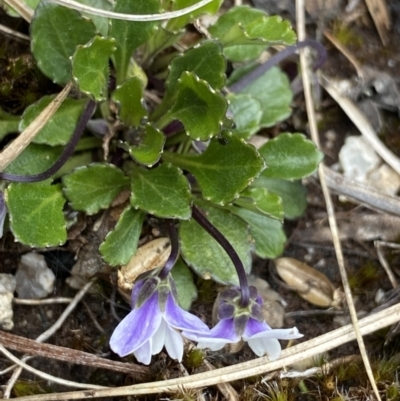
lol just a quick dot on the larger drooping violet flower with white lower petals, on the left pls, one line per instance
(154, 321)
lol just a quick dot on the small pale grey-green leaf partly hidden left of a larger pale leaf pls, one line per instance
(247, 113)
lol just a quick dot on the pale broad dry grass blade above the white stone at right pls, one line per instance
(361, 122)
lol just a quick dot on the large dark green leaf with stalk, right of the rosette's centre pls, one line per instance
(225, 169)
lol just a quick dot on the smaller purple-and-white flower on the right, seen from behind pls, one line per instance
(247, 323)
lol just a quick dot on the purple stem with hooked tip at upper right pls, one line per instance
(277, 58)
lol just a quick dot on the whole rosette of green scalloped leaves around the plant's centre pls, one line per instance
(245, 192)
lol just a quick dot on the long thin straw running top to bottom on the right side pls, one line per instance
(328, 200)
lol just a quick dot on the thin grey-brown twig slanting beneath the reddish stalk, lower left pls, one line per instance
(48, 333)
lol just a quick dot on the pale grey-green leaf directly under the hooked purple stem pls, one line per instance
(273, 92)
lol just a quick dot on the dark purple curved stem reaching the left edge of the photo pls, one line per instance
(65, 155)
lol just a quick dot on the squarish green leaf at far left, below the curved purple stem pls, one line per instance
(36, 213)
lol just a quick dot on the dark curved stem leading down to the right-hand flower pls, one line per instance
(228, 248)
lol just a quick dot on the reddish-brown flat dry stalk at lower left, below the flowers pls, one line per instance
(32, 347)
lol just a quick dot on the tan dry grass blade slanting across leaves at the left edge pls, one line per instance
(26, 137)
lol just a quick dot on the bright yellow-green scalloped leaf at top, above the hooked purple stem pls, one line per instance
(245, 32)
